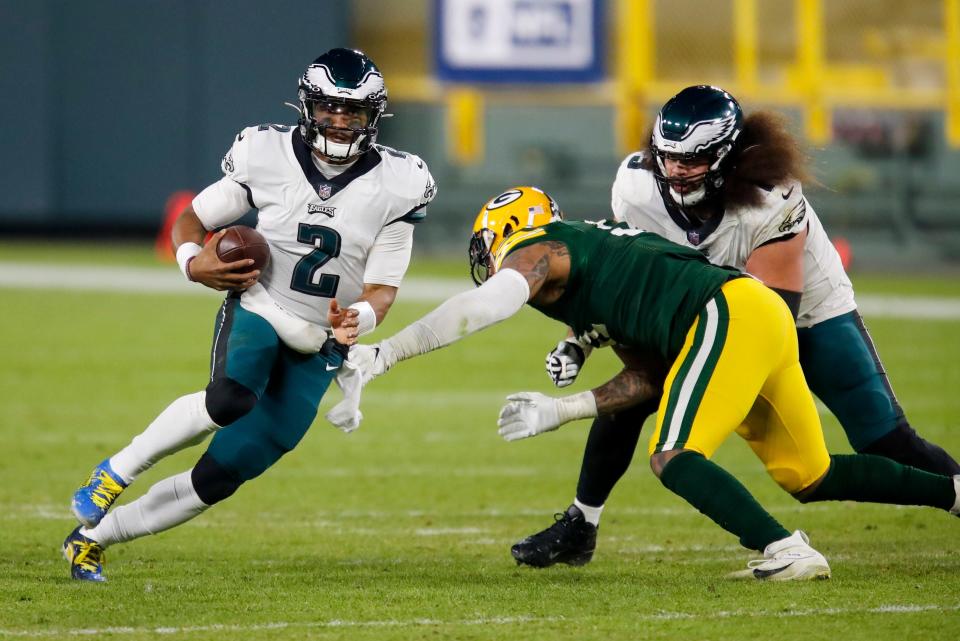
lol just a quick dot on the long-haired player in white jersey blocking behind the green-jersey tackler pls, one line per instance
(732, 187)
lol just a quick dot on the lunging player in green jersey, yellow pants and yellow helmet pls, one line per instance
(734, 367)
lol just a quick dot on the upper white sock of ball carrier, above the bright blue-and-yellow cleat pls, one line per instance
(185, 422)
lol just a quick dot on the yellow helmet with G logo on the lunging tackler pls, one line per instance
(515, 209)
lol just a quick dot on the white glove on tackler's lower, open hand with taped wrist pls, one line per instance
(530, 413)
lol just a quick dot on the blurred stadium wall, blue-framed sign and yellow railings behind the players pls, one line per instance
(117, 105)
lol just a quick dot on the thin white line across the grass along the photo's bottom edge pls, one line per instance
(892, 609)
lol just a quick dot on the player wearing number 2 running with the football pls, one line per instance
(337, 211)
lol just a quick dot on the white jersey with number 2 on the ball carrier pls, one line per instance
(322, 231)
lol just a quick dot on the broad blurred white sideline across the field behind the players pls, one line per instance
(152, 280)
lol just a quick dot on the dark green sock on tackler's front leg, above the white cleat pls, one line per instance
(716, 493)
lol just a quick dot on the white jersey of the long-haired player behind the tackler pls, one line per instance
(827, 291)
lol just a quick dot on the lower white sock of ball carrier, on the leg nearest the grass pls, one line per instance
(168, 503)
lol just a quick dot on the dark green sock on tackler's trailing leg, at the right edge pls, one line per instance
(875, 479)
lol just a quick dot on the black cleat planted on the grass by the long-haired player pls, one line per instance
(569, 540)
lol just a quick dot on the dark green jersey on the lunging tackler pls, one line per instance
(638, 288)
